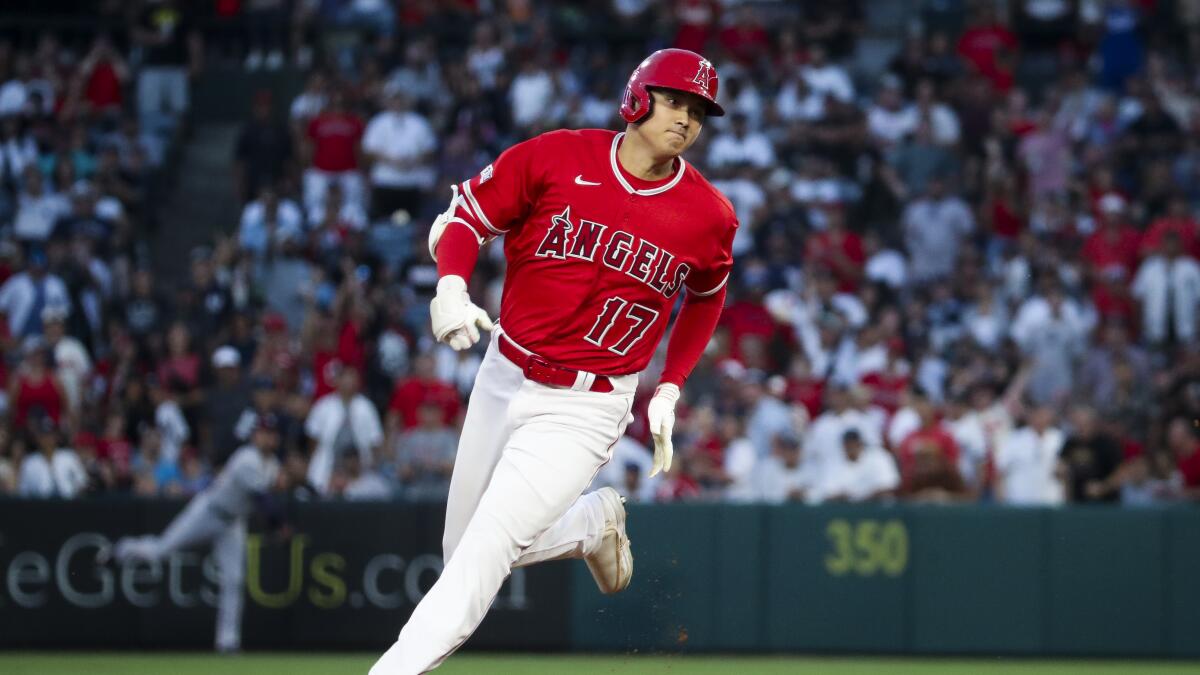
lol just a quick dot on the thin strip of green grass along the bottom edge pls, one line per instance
(82, 664)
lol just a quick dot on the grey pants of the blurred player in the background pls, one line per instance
(196, 525)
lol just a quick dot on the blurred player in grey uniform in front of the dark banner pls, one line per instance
(218, 517)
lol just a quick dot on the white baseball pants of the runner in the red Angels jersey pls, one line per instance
(526, 456)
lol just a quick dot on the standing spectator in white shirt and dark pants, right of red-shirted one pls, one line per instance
(400, 145)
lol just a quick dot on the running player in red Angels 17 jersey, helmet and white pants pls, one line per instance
(604, 231)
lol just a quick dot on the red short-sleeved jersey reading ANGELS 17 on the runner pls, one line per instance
(596, 256)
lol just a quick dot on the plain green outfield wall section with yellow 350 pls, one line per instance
(903, 580)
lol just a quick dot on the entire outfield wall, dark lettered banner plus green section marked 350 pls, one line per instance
(902, 580)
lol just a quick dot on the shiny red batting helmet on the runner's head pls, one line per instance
(670, 69)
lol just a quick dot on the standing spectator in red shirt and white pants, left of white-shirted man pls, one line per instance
(334, 139)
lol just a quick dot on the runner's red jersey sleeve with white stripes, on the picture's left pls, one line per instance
(500, 198)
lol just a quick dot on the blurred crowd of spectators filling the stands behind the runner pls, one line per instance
(968, 266)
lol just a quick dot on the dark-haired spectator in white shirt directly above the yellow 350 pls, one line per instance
(868, 474)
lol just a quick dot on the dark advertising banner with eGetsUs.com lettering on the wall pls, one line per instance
(349, 576)
